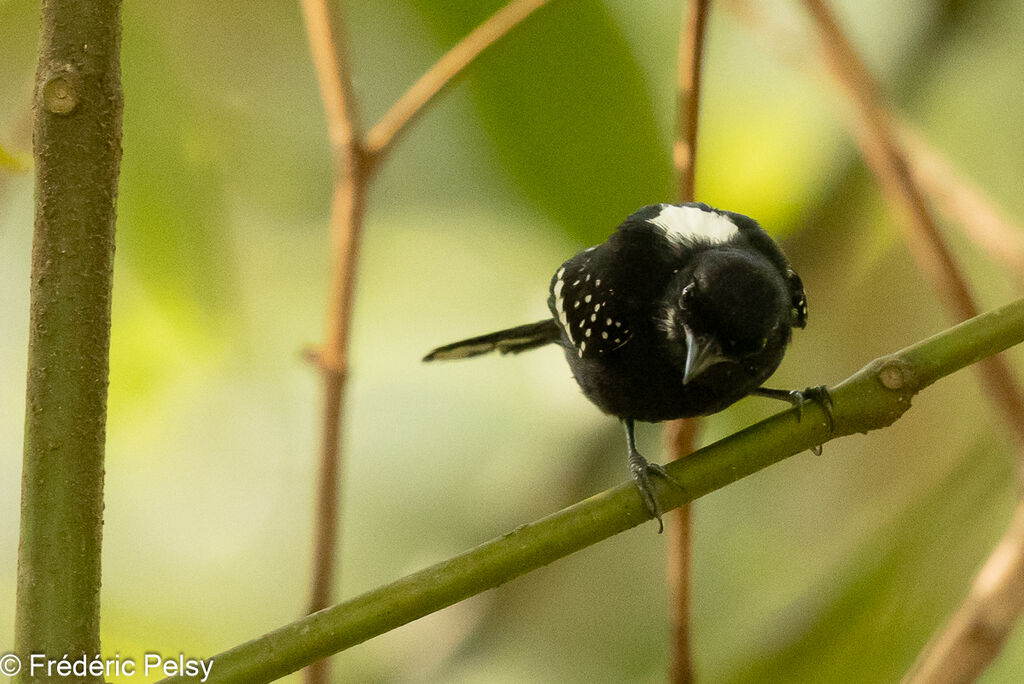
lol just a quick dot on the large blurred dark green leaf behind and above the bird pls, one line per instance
(569, 111)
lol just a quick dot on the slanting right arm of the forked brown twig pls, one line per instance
(387, 133)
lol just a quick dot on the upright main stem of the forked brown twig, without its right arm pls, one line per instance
(324, 27)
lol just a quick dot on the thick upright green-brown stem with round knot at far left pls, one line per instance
(77, 141)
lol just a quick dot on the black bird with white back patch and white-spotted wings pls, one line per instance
(682, 312)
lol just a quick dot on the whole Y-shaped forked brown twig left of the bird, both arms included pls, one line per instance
(355, 162)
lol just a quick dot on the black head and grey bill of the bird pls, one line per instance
(731, 308)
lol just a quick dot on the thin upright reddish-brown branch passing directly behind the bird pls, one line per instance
(681, 435)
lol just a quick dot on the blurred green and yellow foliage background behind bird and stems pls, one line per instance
(831, 569)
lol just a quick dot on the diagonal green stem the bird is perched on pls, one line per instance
(870, 400)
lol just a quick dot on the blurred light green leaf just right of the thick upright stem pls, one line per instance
(173, 209)
